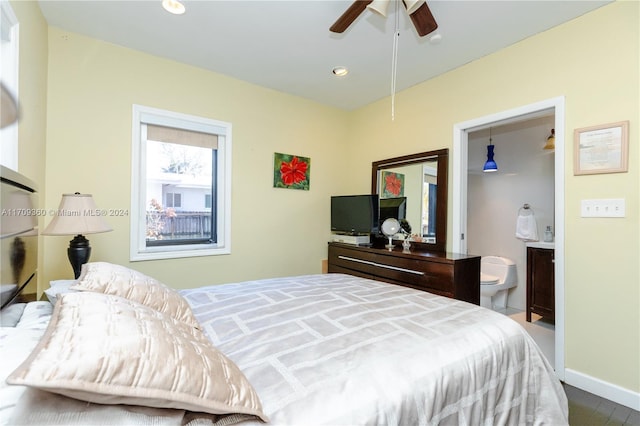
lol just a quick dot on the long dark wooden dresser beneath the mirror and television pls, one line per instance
(447, 274)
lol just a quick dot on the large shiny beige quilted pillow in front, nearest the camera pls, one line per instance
(109, 350)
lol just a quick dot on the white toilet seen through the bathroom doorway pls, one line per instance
(497, 276)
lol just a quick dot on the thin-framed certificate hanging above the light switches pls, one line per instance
(601, 149)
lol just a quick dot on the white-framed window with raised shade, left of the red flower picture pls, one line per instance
(180, 195)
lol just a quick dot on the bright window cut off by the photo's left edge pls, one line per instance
(9, 32)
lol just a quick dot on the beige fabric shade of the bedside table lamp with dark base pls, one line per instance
(77, 214)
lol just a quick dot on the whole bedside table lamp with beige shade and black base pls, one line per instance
(77, 215)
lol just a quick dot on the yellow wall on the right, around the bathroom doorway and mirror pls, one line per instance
(593, 62)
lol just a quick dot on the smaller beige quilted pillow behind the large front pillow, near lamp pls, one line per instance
(118, 280)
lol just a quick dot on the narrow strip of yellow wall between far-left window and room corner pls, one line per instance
(33, 101)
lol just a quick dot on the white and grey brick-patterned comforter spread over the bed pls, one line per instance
(340, 350)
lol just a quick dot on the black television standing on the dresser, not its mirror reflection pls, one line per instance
(355, 214)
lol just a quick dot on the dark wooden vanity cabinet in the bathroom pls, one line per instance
(540, 283)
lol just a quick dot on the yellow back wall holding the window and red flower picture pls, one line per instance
(275, 232)
